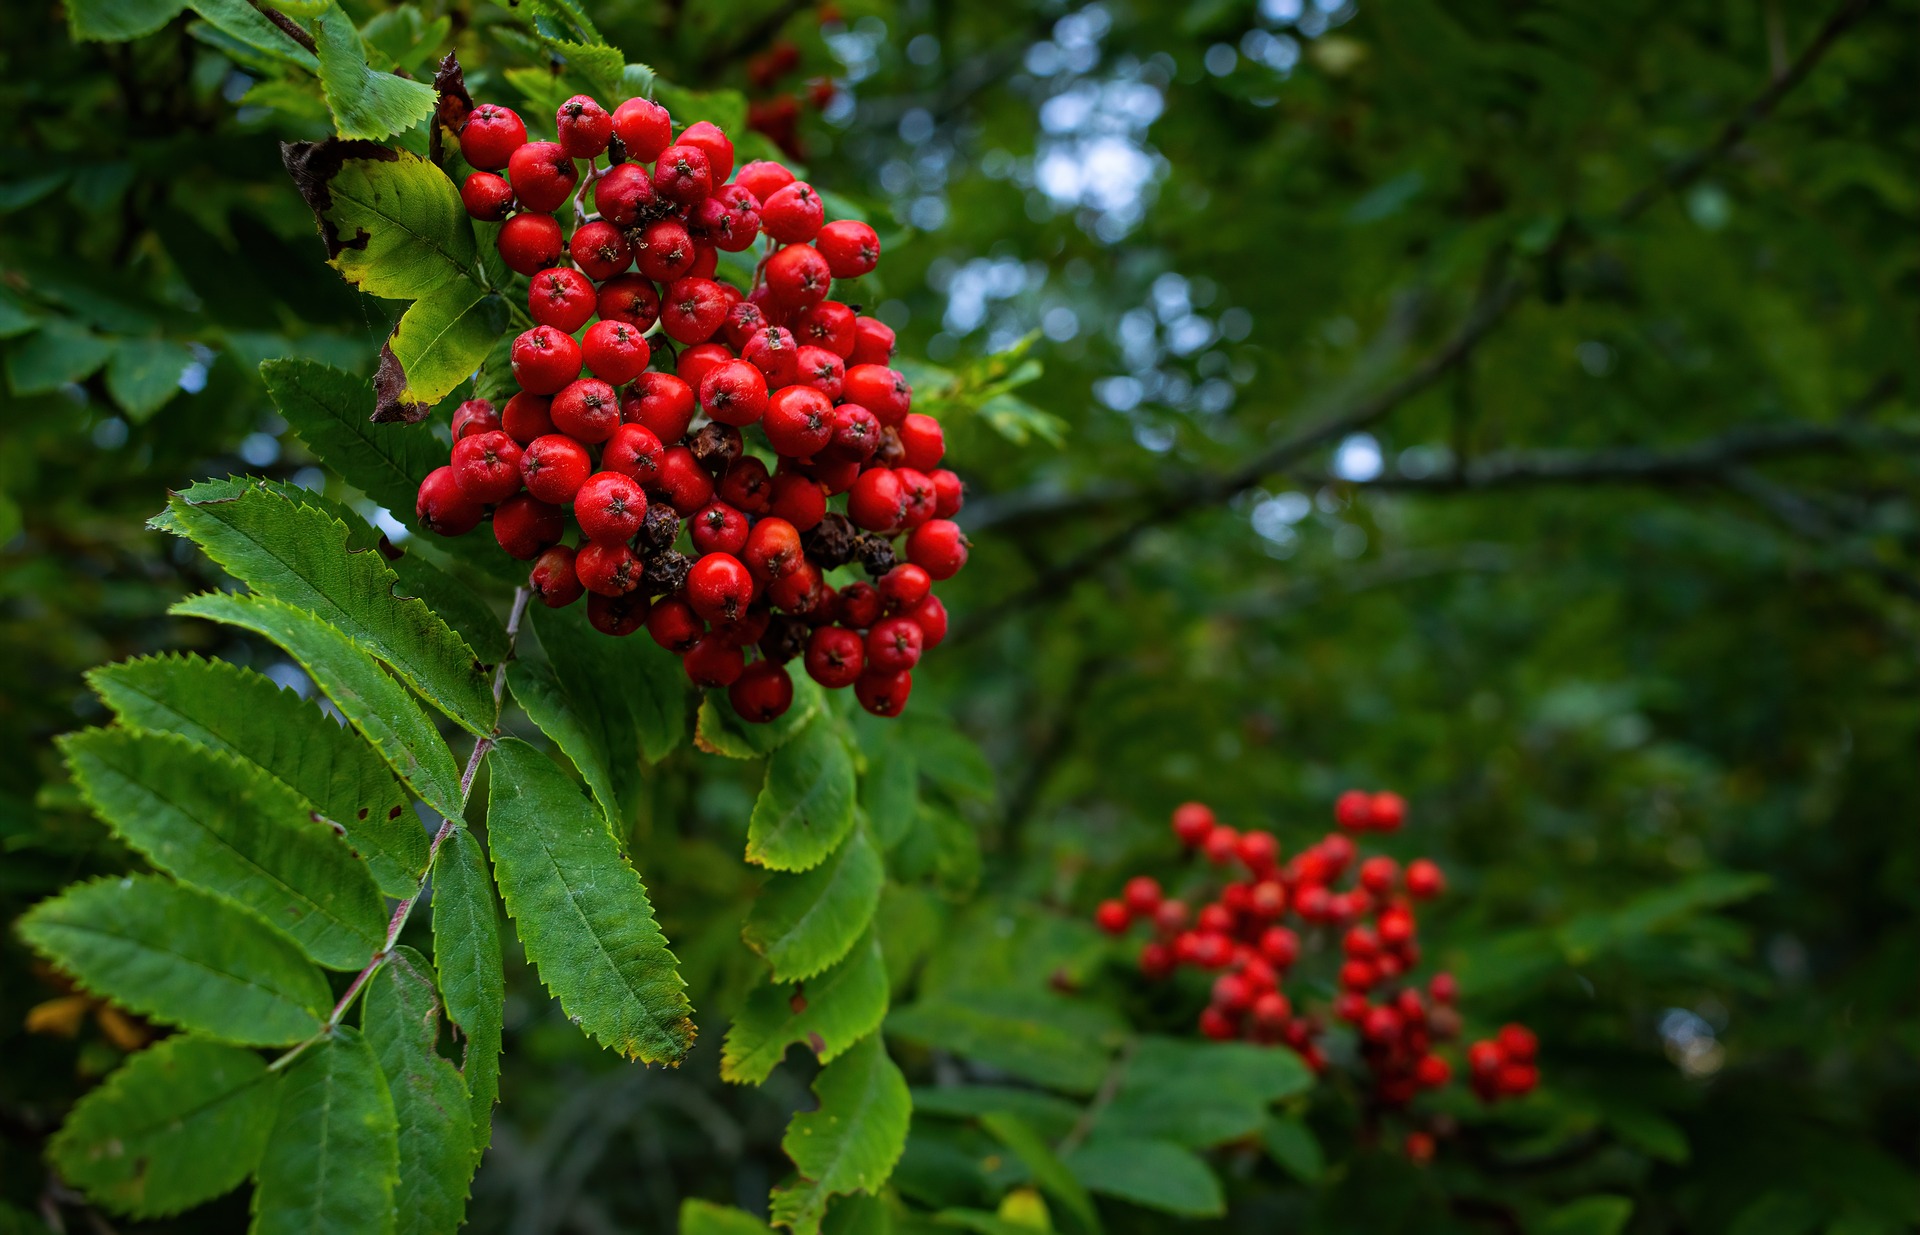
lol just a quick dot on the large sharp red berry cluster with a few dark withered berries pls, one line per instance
(644, 447)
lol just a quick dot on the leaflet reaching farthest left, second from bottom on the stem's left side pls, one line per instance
(181, 957)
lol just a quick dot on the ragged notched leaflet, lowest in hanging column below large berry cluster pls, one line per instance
(852, 1144)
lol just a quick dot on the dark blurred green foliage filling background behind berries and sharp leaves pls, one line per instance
(1621, 596)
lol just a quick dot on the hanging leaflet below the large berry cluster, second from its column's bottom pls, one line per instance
(828, 1013)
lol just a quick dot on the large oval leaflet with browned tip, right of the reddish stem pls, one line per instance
(583, 911)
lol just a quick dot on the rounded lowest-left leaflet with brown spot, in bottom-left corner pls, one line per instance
(176, 1126)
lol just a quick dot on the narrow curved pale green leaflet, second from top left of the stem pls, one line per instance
(373, 704)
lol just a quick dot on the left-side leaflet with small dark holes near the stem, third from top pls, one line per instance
(247, 715)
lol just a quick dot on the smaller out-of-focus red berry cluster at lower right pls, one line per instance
(1260, 927)
